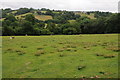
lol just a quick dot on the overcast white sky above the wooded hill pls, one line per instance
(71, 5)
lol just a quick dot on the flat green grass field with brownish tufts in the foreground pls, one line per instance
(61, 56)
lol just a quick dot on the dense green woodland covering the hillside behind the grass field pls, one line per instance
(103, 22)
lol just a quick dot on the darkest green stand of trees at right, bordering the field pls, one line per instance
(102, 25)
